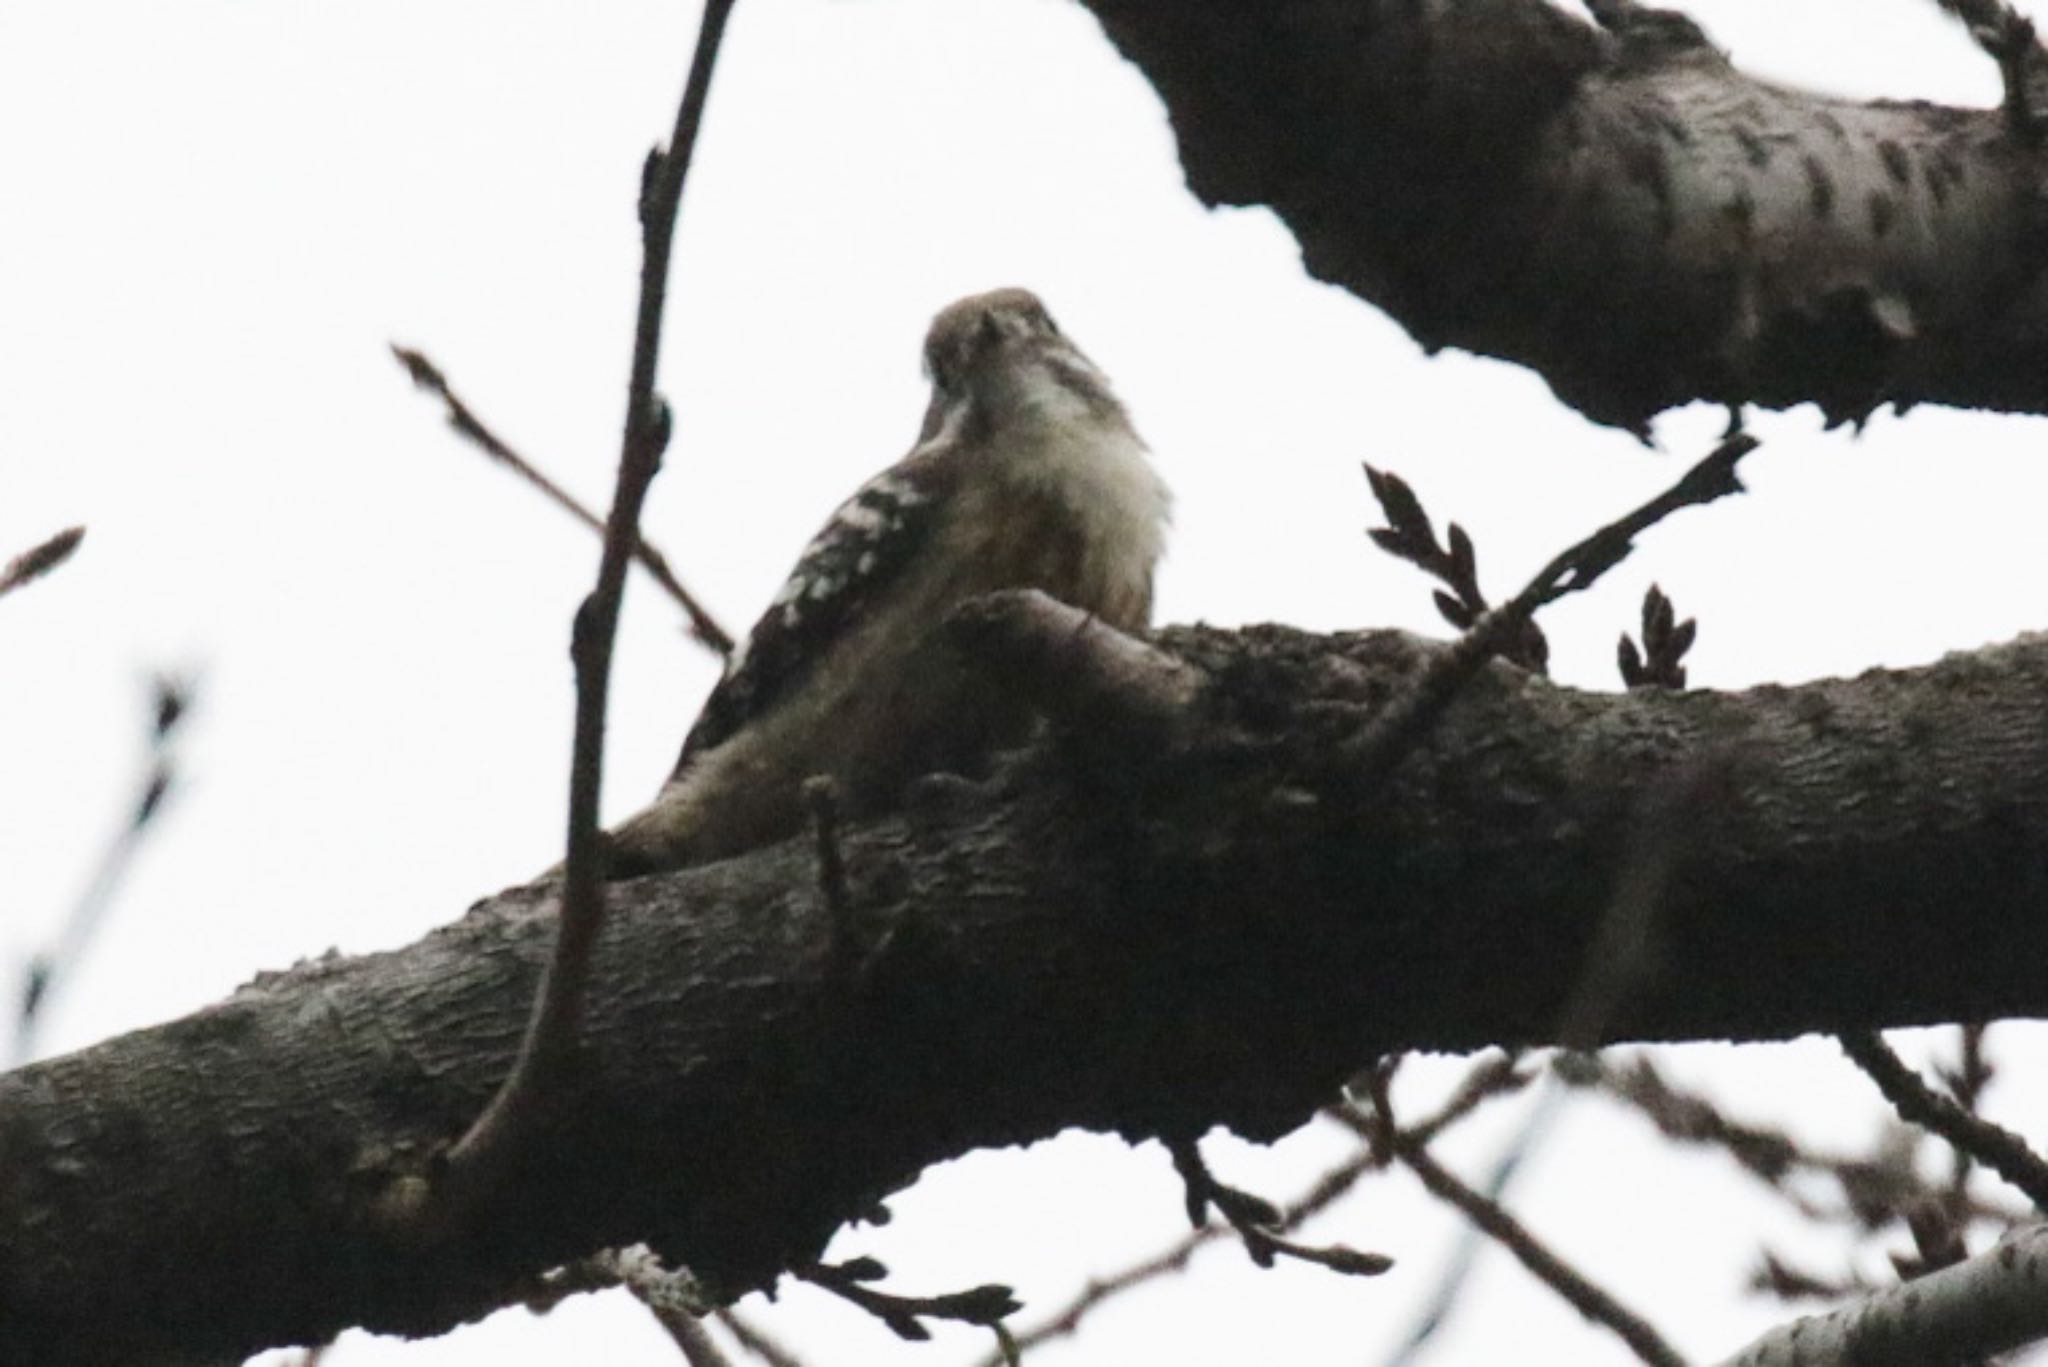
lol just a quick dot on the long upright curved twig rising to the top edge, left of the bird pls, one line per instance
(490, 1145)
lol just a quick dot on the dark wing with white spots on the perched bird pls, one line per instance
(859, 552)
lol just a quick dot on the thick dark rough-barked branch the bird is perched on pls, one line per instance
(1207, 927)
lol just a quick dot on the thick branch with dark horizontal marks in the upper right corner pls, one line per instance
(1625, 214)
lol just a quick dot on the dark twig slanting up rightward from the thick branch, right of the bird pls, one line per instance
(1410, 714)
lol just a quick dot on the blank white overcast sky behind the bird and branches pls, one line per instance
(214, 218)
